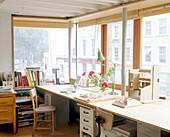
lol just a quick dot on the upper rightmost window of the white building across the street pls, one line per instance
(162, 26)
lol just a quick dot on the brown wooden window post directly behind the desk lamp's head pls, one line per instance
(104, 47)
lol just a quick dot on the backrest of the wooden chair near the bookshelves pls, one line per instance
(34, 97)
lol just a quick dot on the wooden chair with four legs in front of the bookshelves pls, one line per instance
(39, 110)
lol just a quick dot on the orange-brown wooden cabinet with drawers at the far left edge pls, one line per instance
(8, 109)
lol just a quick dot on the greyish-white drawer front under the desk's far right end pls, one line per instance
(148, 130)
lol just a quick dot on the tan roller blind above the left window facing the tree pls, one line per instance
(34, 22)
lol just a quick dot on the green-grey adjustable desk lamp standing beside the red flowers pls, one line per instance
(101, 58)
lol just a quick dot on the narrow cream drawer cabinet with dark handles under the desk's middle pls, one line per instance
(87, 121)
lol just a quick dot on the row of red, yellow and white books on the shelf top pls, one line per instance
(30, 79)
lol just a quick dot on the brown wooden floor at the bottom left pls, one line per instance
(61, 131)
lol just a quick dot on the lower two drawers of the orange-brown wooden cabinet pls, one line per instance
(6, 114)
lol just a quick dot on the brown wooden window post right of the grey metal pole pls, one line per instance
(137, 44)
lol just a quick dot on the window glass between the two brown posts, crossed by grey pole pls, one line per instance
(114, 50)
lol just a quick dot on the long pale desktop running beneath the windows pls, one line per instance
(153, 114)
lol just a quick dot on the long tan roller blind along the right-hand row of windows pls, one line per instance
(131, 15)
